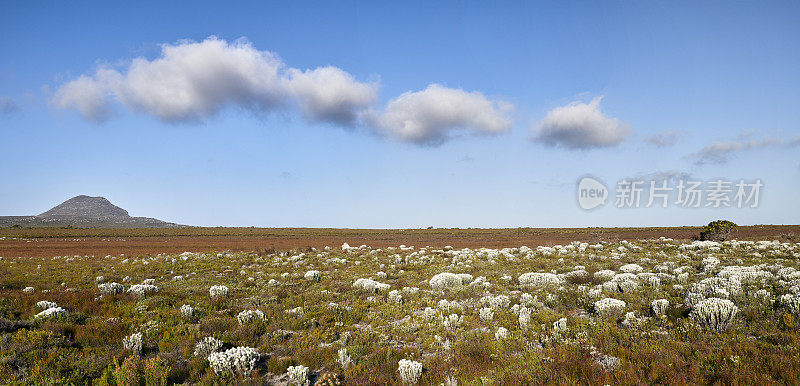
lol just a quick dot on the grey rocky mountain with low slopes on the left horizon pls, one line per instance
(86, 211)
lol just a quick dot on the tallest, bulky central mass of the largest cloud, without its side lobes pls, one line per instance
(191, 81)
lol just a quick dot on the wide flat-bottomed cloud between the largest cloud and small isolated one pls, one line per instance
(437, 113)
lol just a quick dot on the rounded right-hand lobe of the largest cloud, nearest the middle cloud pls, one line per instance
(330, 94)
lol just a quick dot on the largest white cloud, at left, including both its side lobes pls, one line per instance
(191, 81)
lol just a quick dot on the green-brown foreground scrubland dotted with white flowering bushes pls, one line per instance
(639, 311)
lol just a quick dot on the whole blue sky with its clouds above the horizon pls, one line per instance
(592, 84)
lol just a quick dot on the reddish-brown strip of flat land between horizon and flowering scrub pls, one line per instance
(48, 242)
